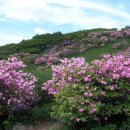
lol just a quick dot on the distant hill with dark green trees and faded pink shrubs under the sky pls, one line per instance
(69, 44)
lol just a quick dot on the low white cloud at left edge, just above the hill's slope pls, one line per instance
(11, 38)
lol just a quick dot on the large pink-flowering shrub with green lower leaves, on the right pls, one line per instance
(97, 91)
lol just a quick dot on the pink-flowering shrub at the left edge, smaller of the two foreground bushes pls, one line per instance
(16, 86)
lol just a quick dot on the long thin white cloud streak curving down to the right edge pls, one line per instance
(89, 4)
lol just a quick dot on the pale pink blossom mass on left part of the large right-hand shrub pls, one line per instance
(68, 72)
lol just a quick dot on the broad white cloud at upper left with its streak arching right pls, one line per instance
(33, 10)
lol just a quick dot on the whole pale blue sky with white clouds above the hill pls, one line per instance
(22, 19)
